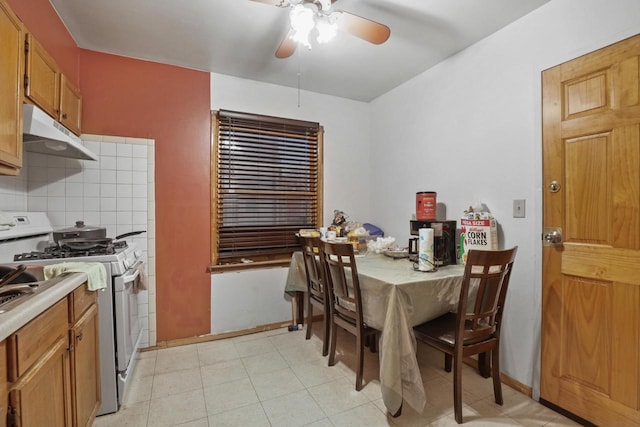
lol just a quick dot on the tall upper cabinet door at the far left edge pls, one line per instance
(11, 72)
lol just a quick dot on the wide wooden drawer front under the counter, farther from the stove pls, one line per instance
(32, 340)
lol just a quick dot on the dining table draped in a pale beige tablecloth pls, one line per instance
(395, 297)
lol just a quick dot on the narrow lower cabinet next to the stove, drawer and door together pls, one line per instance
(85, 363)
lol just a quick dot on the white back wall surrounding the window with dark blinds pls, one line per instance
(260, 294)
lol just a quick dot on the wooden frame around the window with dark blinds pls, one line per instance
(217, 197)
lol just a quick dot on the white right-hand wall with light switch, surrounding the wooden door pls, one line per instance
(470, 129)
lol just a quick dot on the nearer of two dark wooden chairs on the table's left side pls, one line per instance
(346, 302)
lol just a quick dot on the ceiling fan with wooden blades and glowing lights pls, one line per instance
(306, 15)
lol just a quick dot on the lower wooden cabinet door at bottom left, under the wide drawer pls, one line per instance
(42, 397)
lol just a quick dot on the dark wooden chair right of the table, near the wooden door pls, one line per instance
(475, 327)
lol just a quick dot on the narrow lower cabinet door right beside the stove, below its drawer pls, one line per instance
(86, 367)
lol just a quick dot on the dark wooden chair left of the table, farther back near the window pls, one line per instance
(316, 290)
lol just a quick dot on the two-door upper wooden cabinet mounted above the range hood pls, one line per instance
(49, 89)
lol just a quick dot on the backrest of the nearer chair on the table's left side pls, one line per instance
(342, 281)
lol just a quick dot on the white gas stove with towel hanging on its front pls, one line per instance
(30, 242)
